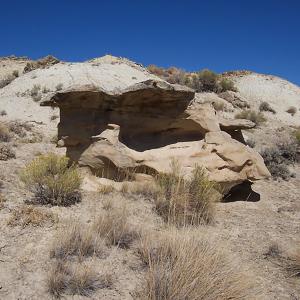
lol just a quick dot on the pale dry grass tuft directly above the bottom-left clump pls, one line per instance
(77, 239)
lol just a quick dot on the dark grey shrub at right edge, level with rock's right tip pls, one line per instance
(278, 157)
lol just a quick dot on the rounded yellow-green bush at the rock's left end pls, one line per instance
(52, 181)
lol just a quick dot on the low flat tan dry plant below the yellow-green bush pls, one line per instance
(31, 216)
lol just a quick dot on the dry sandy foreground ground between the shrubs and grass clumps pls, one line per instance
(248, 229)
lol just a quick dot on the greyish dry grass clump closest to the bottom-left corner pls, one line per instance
(80, 279)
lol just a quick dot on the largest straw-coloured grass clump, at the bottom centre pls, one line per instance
(184, 265)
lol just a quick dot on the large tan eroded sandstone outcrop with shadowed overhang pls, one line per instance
(141, 127)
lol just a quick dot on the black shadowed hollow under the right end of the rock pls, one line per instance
(242, 192)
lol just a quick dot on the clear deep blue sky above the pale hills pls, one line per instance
(258, 35)
